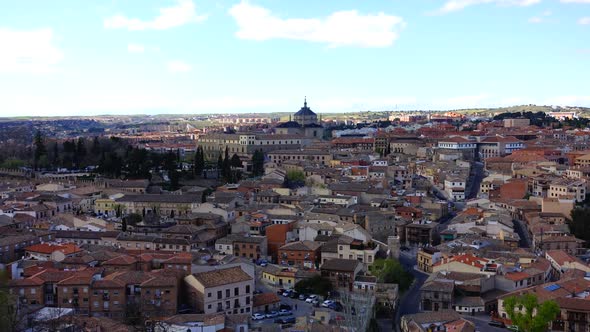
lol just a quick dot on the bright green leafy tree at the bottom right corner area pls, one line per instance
(528, 314)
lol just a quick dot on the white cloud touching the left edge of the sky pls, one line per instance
(28, 51)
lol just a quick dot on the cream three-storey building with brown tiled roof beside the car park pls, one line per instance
(226, 290)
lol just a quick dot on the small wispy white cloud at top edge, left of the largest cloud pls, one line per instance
(183, 13)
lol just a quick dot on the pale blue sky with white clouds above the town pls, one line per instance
(91, 57)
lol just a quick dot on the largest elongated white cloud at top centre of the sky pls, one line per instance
(342, 28)
